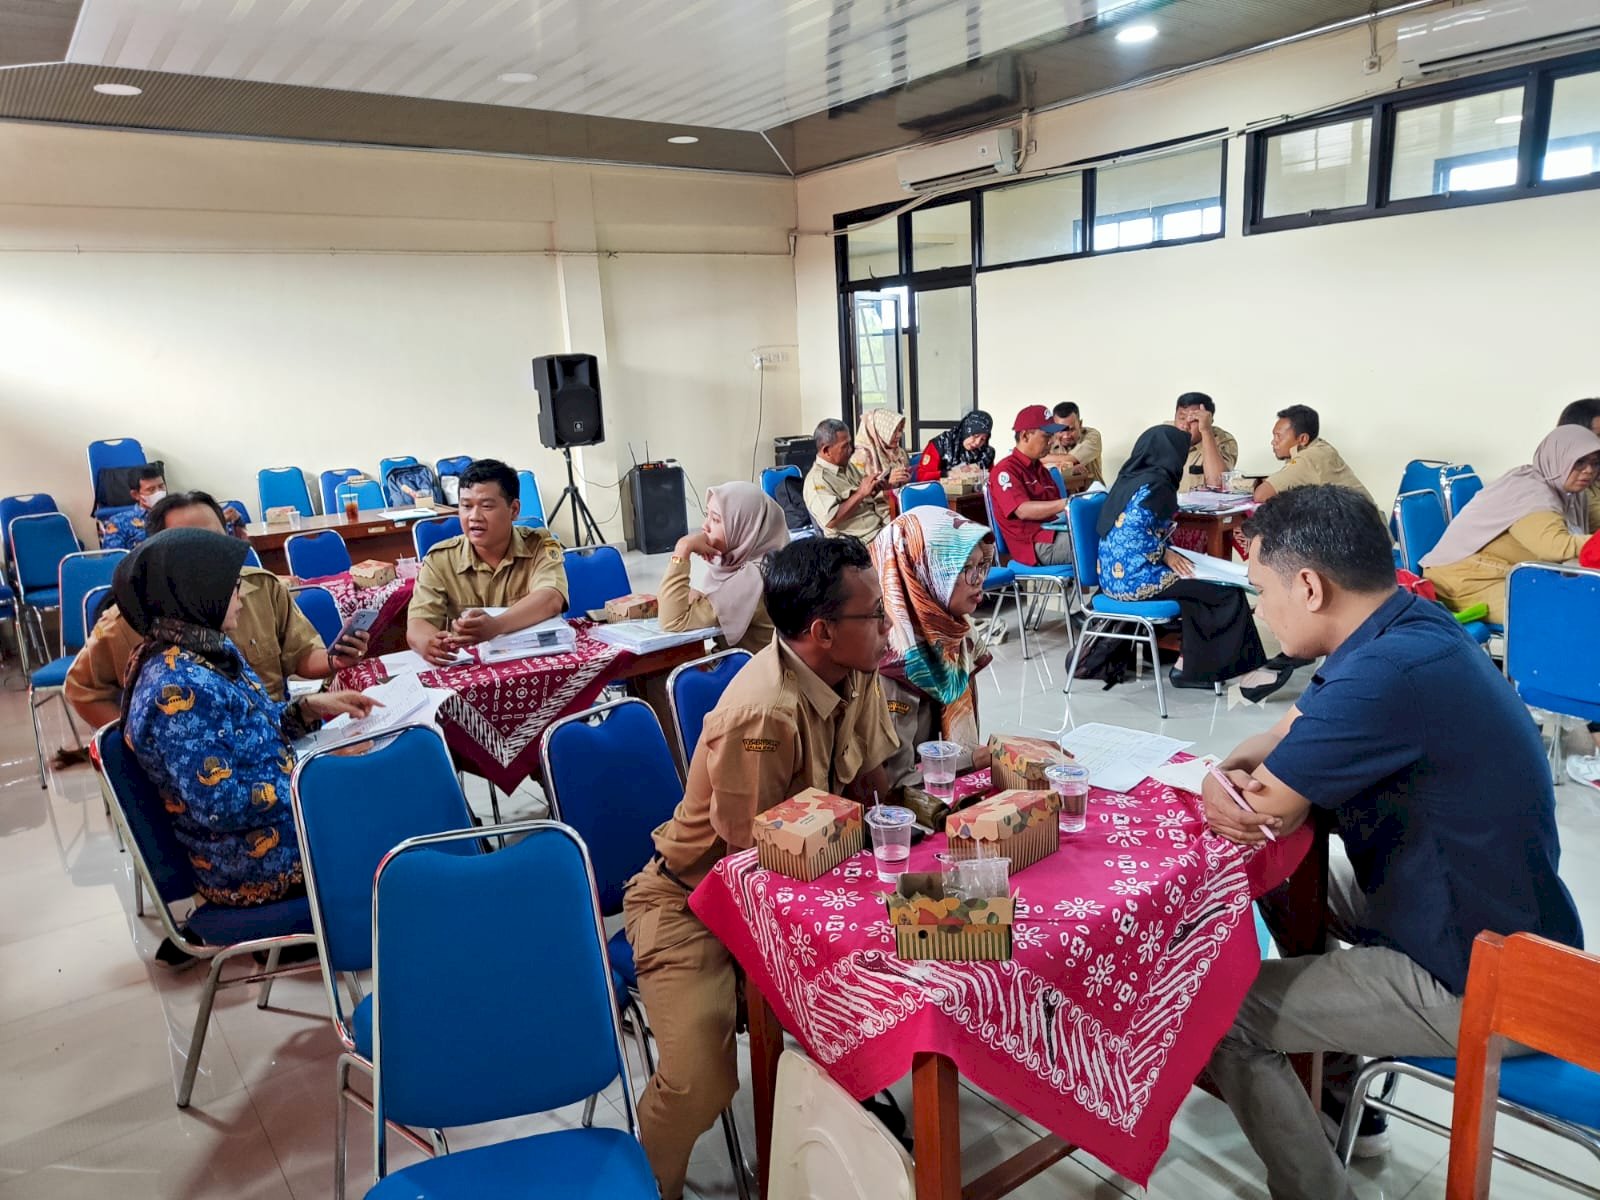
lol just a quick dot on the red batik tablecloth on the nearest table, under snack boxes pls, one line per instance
(1134, 948)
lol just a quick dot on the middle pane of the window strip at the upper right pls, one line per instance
(1458, 146)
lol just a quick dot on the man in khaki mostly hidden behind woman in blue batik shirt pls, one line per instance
(273, 634)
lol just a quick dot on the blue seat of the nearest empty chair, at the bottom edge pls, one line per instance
(570, 1164)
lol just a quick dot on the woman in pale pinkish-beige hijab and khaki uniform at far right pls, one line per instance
(1532, 514)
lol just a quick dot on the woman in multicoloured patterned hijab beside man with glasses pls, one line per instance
(932, 566)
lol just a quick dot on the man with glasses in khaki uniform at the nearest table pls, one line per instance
(806, 713)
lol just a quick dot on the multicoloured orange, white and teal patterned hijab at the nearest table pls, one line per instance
(921, 556)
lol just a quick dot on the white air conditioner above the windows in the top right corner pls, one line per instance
(1494, 33)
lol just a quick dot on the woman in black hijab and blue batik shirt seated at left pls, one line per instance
(212, 740)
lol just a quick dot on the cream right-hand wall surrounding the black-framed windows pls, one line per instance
(1444, 335)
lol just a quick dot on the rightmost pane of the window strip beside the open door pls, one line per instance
(1138, 204)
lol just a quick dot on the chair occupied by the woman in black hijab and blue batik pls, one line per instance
(214, 932)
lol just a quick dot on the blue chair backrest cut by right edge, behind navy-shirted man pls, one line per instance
(1546, 660)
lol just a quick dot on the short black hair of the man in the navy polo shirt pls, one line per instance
(1335, 532)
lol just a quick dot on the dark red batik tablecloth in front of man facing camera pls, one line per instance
(498, 713)
